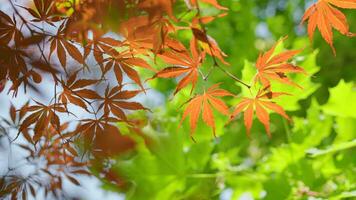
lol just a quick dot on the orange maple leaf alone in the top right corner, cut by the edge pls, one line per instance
(324, 16)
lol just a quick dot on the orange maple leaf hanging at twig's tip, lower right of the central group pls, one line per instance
(259, 104)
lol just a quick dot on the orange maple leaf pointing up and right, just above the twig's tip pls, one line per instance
(275, 67)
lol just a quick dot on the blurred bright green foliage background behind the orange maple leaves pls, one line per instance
(312, 157)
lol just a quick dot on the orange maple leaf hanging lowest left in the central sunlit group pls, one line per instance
(203, 104)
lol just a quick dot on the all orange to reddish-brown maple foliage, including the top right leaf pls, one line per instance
(68, 34)
